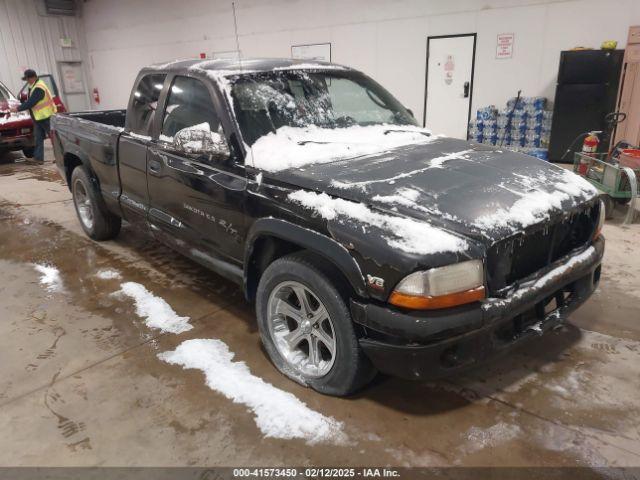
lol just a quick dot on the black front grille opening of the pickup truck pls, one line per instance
(519, 256)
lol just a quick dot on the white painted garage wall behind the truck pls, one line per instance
(386, 39)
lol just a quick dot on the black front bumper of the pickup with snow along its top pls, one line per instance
(428, 345)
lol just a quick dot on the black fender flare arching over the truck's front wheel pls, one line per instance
(310, 240)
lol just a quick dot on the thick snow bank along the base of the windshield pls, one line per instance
(295, 147)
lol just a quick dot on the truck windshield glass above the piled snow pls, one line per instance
(266, 102)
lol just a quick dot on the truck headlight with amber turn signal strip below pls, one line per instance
(442, 287)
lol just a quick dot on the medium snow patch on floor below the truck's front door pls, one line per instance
(156, 312)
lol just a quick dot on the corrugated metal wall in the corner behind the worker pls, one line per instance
(31, 39)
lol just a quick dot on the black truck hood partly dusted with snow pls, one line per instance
(475, 190)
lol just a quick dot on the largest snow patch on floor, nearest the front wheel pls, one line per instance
(278, 414)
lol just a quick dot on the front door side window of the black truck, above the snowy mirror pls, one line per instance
(189, 104)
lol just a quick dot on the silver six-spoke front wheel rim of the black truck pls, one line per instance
(301, 329)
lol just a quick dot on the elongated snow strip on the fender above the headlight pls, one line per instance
(402, 233)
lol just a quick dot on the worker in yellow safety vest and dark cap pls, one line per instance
(41, 108)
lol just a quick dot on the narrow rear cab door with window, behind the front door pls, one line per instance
(133, 145)
